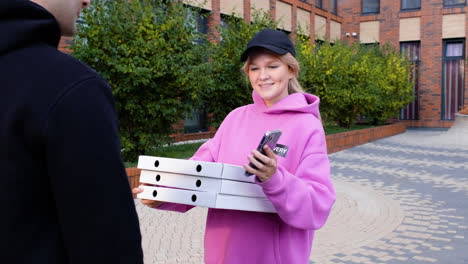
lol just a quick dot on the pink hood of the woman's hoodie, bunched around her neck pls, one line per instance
(296, 102)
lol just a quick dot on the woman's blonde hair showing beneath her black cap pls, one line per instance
(288, 59)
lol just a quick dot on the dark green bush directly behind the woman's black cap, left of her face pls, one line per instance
(227, 88)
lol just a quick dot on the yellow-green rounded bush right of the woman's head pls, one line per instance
(355, 80)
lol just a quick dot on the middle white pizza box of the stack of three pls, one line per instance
(199, 183)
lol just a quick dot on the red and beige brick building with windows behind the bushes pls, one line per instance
(431, 33)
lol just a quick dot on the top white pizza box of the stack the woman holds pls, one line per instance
(193, 167)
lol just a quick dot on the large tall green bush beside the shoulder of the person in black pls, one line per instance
(146, 50)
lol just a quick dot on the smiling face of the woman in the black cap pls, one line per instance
(269, 77)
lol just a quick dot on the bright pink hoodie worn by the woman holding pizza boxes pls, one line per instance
(300, 190)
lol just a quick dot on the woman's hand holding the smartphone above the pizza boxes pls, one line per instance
(266, 165)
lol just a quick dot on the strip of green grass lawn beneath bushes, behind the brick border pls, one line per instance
(184, 151)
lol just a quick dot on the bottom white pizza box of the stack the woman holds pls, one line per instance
(206, 199)
